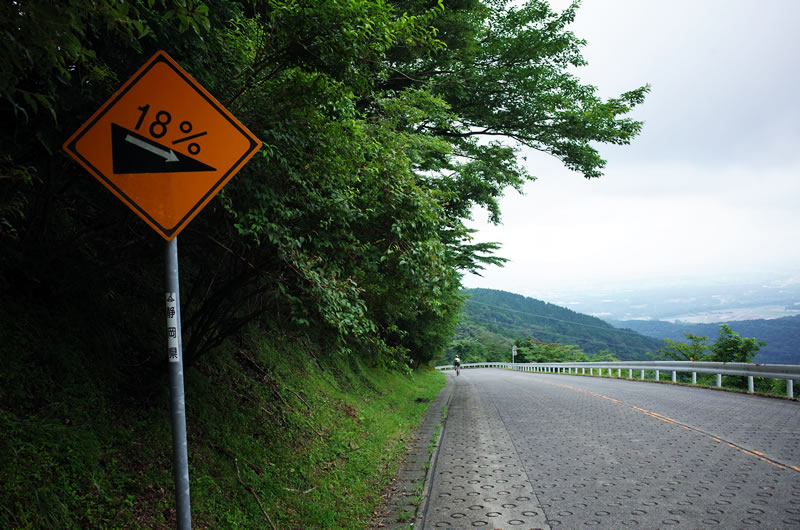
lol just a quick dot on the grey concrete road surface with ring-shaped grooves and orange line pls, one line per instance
(523, 450)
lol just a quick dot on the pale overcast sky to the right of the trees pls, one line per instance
(710, 189)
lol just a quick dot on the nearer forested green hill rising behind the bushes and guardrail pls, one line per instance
(497, 318)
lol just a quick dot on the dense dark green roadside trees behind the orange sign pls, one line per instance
(380, 124)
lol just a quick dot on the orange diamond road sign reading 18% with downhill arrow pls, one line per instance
(163, 145)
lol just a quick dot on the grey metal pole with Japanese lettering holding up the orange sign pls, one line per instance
(180, 457)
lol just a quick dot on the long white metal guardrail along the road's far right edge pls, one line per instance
(789, 372)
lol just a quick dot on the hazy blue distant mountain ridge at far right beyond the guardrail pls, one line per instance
(782, 335)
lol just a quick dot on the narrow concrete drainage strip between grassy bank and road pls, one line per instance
(407, 500)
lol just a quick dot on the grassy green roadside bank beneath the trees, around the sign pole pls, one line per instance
(279, 436)
